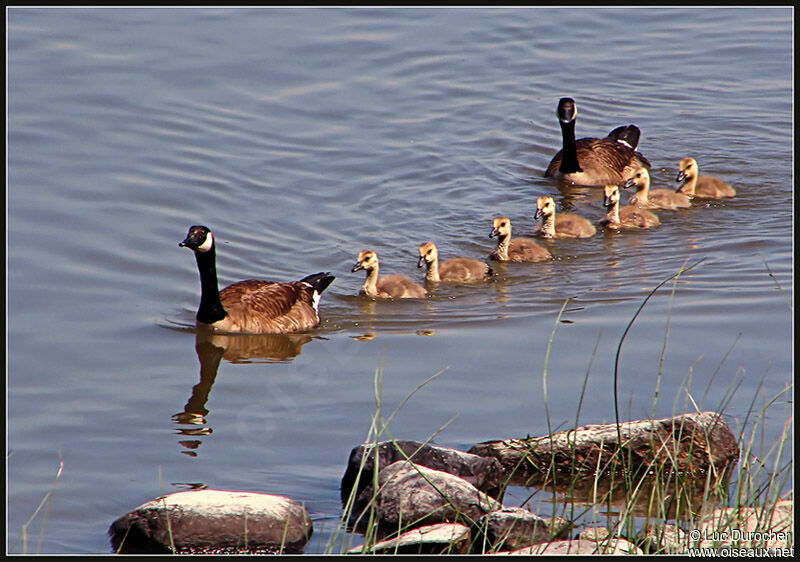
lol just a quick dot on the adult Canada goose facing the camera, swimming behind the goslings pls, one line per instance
(593, 161)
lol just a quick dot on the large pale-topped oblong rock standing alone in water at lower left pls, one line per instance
(213, 521)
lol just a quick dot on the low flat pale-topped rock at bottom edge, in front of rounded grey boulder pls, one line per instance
(441, 538)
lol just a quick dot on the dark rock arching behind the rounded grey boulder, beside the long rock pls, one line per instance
(482, 472)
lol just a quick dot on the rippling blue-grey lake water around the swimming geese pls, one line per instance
(302, 136)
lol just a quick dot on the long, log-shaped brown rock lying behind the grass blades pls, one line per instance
(687, 444)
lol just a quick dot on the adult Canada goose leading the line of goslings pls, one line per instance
(253, 306)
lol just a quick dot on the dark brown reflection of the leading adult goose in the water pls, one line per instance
(211, 348)
